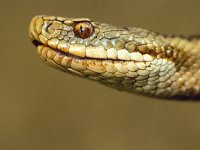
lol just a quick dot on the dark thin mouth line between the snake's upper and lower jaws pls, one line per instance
(37, 43)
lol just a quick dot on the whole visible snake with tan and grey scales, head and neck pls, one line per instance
(131, 59)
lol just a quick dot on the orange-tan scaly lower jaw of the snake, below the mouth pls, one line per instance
(84, 66)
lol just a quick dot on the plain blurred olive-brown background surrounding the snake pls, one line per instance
(45, 109)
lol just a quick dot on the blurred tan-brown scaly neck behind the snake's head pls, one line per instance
(186, 80)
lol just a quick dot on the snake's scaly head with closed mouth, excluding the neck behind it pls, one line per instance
(131, 59)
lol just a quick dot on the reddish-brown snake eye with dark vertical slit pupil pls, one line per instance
(83, 29)
